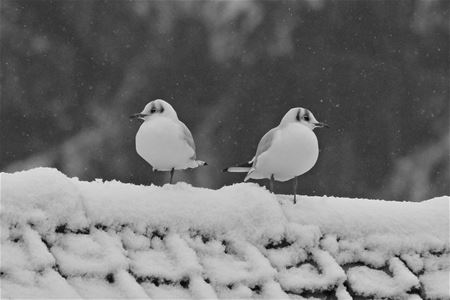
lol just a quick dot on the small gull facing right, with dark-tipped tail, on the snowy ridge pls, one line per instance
(286, 151)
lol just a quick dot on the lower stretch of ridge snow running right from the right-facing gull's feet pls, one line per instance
(376, 219)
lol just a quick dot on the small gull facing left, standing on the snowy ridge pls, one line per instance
(163, 140)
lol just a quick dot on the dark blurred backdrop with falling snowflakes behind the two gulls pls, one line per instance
(376, 71)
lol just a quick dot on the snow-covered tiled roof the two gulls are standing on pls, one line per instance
(62, 237)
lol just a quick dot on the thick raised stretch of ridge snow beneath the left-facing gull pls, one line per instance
(183, 208)
